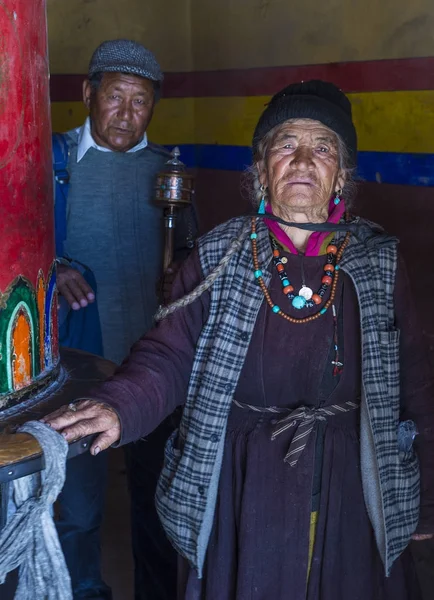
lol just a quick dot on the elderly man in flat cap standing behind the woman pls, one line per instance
(112, 226)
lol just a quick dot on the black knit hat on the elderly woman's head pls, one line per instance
(318, 100)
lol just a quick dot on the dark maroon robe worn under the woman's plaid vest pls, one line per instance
(259, 543)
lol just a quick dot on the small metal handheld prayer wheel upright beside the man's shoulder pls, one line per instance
(174, 190)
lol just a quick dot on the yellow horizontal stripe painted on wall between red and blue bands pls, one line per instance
(385, 121)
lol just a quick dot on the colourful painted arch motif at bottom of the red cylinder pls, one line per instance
(28, 332)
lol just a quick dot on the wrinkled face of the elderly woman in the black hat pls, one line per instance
(301, 169)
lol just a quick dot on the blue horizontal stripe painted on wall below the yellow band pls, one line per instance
(383, 167)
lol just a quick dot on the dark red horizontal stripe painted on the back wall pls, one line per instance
(366, 76)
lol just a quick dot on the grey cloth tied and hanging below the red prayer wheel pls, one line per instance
(29, 541)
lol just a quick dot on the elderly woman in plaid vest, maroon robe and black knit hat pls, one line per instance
(293, 474)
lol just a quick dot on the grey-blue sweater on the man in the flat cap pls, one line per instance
(114, 228)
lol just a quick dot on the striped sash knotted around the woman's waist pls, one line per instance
(303, 419)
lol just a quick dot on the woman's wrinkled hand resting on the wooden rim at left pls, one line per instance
(78, 420)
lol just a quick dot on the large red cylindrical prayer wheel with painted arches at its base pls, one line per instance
(29, 357)
